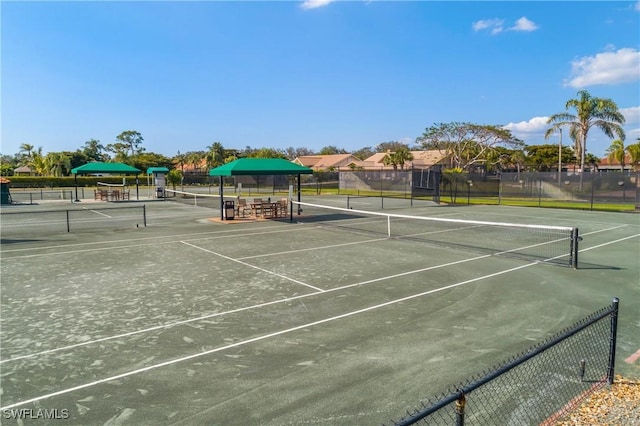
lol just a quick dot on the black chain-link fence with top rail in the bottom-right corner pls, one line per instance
(539, 386)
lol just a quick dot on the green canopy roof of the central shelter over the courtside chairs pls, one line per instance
(260, 166)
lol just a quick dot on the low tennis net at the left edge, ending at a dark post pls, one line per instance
(23, 223)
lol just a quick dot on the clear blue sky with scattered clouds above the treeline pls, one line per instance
(309, 74)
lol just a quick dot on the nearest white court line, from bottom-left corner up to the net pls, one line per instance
(259, 338)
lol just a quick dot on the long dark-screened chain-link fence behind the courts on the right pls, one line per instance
(569, 189)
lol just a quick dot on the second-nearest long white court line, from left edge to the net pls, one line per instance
(245, 308)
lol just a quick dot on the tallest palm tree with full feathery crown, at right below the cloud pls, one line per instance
(590, 111)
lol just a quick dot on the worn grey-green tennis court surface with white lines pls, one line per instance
(190, 320)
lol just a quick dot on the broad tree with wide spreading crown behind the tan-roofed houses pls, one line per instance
(467, 144)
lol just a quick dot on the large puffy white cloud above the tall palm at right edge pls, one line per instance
(622, 66)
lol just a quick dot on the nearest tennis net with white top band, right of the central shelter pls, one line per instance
(552, 244)
